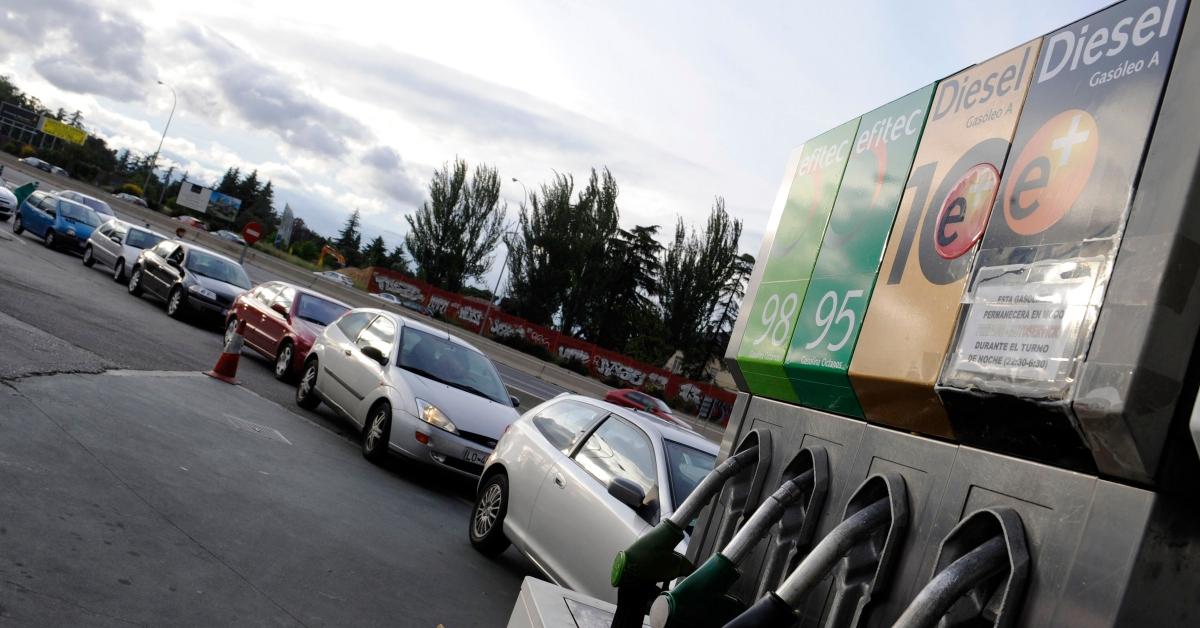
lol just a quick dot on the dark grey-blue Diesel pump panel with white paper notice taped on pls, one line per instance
(1057, 226)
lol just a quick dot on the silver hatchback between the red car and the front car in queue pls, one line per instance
(412, 388)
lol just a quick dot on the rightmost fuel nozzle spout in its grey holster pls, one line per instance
(980, 576)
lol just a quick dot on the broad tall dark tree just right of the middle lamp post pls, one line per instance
(556, 249)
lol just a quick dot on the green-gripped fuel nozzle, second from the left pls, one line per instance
(701, 600)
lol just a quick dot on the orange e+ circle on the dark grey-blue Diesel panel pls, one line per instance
(1052, 172)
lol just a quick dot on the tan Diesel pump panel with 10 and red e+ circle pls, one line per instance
(911, 315)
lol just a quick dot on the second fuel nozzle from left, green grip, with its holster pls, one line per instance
(701, 600)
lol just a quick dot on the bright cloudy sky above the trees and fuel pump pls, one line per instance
(356, 104)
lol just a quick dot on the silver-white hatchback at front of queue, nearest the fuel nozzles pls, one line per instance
(575, 481)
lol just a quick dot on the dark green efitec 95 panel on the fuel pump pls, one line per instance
(847, 267)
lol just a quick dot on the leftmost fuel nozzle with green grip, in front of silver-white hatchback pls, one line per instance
(651, 560)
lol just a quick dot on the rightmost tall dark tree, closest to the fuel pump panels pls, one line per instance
(697, 270)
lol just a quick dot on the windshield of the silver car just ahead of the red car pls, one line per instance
(452, 364)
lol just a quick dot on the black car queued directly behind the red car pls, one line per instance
(189, 278)
